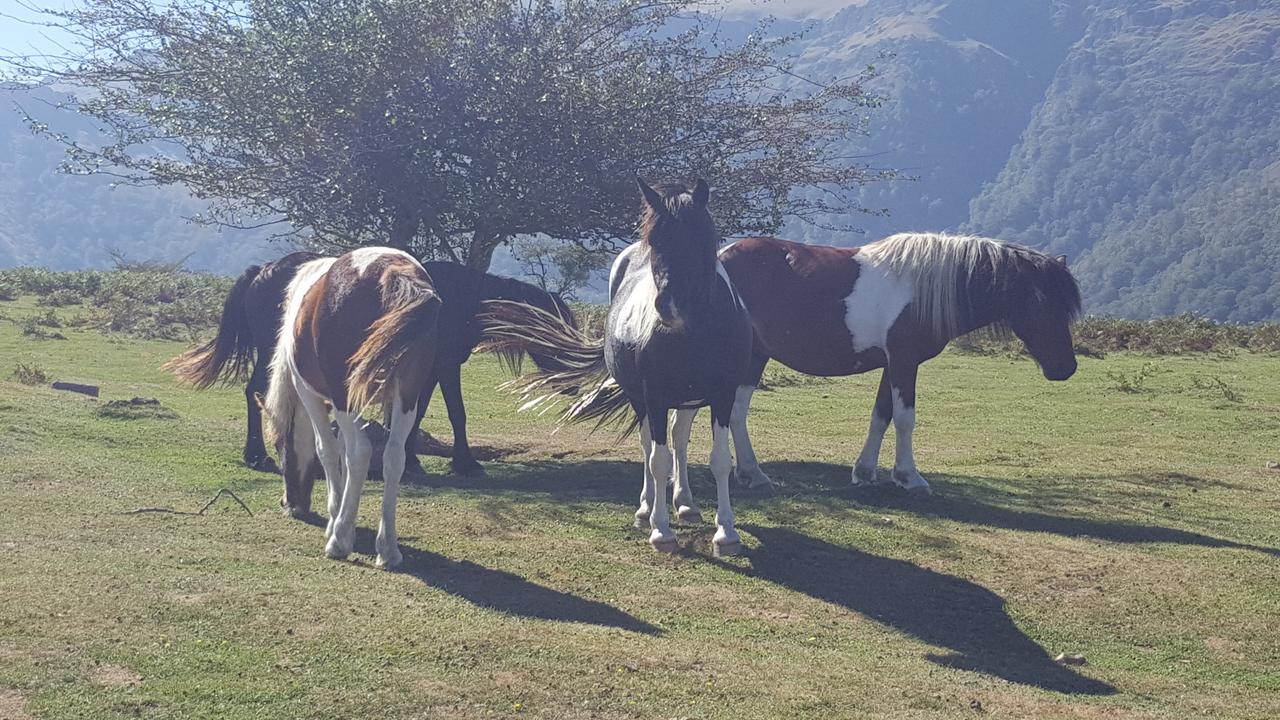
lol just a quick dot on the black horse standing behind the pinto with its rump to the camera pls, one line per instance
(252, 322)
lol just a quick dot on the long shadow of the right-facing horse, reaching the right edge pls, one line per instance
(973, 502)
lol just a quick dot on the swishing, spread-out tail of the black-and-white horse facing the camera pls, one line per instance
(514, 329)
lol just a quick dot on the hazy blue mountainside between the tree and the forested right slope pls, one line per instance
(961, 89)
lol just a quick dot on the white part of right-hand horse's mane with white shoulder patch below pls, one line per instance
(934, 263)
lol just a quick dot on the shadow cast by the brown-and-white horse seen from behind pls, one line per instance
(502, 591)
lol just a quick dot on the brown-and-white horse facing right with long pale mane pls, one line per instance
(893, 306)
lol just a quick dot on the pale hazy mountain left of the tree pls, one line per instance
(71, 222)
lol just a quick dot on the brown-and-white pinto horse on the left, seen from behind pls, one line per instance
(358, 329)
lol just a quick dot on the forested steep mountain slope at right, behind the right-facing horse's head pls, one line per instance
(1154, 160)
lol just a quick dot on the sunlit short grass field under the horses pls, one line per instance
(1124, 516)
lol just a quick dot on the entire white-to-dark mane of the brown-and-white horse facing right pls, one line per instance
(944, 268)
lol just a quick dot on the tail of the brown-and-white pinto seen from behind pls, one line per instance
(408, 327)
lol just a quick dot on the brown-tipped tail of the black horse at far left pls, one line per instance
(227, 357)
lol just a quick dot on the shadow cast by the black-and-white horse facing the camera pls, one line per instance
(941, 610)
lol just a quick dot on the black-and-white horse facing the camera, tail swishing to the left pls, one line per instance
(678, 338)
